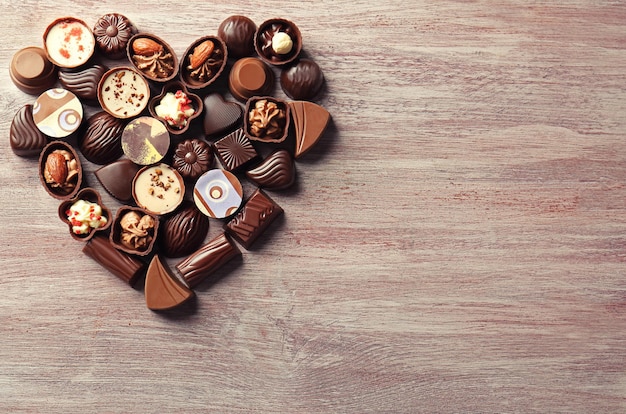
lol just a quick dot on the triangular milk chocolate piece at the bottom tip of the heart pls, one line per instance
(162, 289)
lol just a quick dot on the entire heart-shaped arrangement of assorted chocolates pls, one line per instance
(168, 142)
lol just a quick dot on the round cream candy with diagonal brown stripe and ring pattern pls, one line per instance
(57, 113)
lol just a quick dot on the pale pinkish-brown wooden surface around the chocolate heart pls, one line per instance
(456, 242)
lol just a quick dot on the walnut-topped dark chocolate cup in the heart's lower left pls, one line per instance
(135, 233)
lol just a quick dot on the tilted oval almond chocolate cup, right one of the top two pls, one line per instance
(203, 62)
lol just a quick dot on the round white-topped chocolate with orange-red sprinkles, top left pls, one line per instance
(69, 42)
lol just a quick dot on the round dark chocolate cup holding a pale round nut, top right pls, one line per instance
(267, 47)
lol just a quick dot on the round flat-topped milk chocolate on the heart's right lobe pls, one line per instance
(250, 77)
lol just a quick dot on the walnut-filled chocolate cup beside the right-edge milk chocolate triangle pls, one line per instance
(267, 133)
